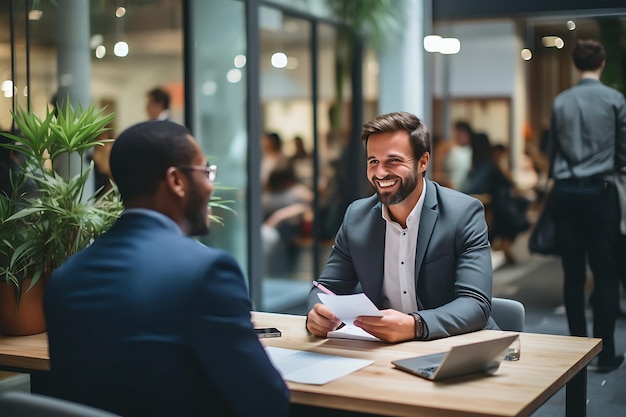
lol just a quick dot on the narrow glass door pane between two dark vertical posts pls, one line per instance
(287, 161)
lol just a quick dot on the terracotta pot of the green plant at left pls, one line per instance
(28, 318)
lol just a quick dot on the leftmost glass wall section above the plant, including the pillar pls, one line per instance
(132, 49)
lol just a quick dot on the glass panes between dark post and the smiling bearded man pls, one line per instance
(306, 98)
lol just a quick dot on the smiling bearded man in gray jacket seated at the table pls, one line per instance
(419, 251)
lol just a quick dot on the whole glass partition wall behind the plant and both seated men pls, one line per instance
(226, 83)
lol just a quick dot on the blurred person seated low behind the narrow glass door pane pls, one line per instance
(286, 213)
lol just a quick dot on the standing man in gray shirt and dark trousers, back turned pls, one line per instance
(587, 145)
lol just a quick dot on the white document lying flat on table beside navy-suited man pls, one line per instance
(310, 367)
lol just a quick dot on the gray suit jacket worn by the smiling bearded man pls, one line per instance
(453, 271)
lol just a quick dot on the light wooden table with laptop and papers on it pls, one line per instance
(517, 389)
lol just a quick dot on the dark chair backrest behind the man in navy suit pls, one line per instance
(22, 404)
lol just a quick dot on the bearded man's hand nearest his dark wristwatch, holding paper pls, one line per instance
(392, 327)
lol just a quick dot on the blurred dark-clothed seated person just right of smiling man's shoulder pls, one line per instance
(508, 209)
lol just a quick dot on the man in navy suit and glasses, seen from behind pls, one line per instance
(147, 321)
